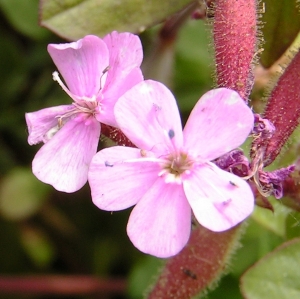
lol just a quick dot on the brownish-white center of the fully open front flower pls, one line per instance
(175, 166)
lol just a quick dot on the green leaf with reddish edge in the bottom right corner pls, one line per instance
(275, 276)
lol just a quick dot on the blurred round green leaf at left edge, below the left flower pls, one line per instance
(21, 194)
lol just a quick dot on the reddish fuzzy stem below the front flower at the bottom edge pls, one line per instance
(198, 266)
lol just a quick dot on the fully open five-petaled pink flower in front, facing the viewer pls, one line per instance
(171, 173)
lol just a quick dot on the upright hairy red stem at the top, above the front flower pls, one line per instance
(235, 32)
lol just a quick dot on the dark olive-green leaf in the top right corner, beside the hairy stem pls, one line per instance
(281, 21)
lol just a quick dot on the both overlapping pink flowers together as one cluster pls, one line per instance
(170, 175)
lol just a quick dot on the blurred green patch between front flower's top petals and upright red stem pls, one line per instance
(193, 65)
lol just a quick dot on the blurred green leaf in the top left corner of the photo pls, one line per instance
(23, 15)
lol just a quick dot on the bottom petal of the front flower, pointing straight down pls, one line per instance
(160, 223)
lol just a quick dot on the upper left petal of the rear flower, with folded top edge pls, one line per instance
(81, 64)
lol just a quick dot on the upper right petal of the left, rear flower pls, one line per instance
(125, 54)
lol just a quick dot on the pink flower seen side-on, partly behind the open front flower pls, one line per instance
(97, 72)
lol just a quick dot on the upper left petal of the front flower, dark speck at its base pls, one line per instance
(148, 115)
